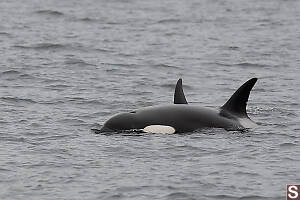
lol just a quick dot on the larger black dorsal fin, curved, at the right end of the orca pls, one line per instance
(237, 103)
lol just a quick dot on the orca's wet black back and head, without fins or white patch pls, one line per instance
(182, 117)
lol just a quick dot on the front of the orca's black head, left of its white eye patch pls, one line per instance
(123, 121)
